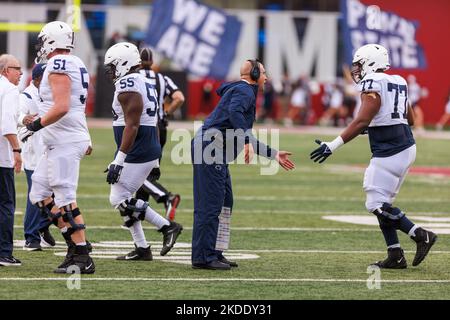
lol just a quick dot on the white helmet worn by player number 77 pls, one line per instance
(369, 59)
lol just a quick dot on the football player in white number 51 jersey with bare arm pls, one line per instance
(65, 135)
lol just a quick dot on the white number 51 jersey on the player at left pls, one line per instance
(72, 127)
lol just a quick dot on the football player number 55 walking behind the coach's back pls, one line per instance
(134, 107)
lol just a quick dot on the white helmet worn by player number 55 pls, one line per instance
(120, 58)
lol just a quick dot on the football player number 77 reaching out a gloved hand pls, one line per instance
(387, 115)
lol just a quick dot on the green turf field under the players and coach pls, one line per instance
(284, 247)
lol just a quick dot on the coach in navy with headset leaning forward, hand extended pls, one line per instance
(213, 147)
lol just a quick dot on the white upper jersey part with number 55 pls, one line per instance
(136, 82)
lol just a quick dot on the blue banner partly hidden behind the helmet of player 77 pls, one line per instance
(363, 24)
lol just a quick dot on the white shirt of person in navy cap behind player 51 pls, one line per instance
(33, 148)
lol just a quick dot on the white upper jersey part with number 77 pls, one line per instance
(393, 92)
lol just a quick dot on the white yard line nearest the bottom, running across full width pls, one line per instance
(87, 278)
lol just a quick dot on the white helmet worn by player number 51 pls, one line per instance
(54, 35)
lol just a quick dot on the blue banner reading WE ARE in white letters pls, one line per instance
(200, 39)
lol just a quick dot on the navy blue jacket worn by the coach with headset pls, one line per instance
(237, 110)
